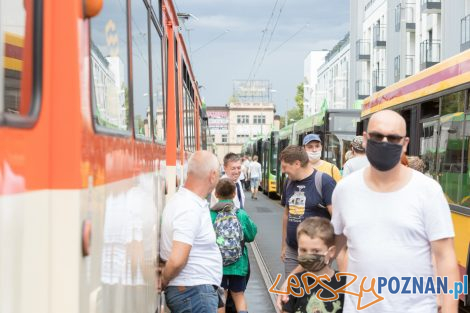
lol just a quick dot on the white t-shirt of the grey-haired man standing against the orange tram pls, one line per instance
(186, 218)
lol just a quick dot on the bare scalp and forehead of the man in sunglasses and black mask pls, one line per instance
(387, 122)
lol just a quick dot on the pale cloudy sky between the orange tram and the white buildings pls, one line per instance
(224, 37)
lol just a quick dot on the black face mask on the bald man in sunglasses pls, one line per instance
(383, 155)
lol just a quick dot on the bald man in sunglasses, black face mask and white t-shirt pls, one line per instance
(394, 221)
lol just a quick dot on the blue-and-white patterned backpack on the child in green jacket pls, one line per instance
(229, 236)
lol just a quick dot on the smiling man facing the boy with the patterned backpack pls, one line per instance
(233, 168)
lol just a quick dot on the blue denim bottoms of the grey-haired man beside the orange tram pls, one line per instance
(192, 299)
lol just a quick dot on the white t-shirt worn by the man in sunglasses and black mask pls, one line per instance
(390, 234)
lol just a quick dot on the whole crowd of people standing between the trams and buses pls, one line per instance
(381, 217)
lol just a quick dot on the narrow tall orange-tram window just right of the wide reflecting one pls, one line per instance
(140, 67)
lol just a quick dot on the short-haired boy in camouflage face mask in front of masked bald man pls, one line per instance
(315, 237)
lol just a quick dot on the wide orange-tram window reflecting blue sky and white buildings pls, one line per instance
(109, 70)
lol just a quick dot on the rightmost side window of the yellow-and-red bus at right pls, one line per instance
(451, 143)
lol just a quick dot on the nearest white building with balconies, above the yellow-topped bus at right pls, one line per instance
(394, 39)
